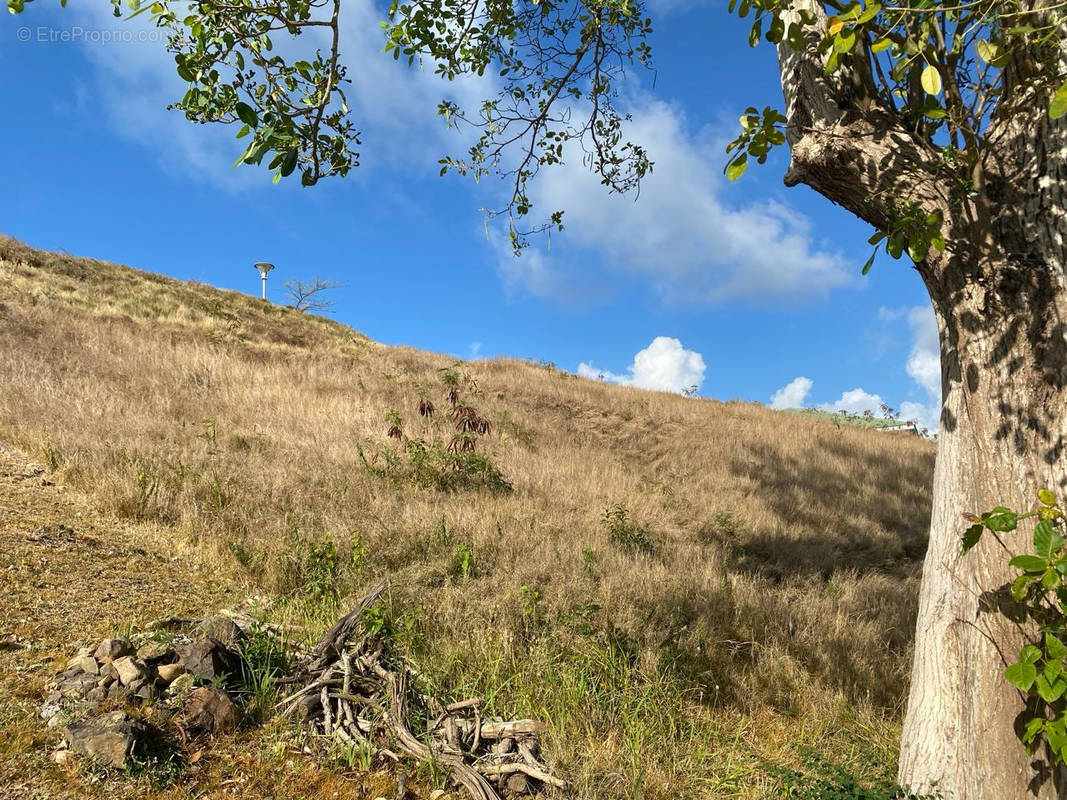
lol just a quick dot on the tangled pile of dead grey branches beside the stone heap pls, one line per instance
(355, 693)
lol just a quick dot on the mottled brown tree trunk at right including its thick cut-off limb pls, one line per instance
(1001, 301)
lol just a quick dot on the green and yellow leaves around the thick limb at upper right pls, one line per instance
(957, 76)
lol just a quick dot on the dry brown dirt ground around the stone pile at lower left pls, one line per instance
(70, 577)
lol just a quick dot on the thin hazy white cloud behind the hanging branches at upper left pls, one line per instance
(393, 107)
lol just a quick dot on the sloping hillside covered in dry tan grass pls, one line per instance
(691, 593)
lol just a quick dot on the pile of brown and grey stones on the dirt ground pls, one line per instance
(179, 673)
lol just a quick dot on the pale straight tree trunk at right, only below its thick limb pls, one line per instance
(1004, 427)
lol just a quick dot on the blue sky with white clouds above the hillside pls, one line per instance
(745, 290)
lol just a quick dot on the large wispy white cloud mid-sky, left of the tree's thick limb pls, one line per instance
(681, 233)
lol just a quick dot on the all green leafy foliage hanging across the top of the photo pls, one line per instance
(948, 72)
